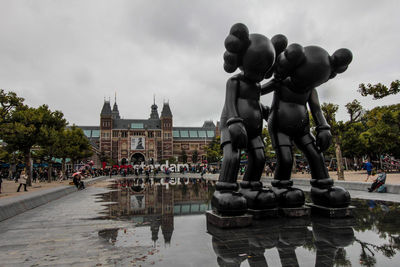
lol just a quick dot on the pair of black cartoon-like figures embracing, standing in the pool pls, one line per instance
(297, 72)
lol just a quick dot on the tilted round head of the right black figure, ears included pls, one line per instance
(311, 66)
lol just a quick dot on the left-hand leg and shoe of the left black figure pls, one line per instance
(226, 200)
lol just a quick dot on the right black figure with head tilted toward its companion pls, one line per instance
(298, 71)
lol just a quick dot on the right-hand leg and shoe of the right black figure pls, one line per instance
(323, 192)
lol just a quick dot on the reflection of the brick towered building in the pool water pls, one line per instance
(154, 203)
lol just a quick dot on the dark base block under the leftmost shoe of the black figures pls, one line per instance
(228, 221)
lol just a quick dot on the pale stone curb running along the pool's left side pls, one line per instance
(12, 206)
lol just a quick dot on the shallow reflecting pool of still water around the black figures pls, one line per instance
(167, 218)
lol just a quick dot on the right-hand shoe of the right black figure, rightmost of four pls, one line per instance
(332, 197)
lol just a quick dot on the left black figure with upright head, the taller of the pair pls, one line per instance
(241, 121)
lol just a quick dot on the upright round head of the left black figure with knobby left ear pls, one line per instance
(254, 54)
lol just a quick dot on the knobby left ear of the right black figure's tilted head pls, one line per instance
(289, 60)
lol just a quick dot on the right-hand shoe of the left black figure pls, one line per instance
(258, 198)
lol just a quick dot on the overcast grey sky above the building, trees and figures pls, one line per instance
(73, 54)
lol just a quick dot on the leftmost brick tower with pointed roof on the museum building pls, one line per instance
(105, 128)
